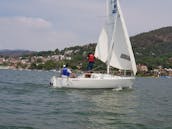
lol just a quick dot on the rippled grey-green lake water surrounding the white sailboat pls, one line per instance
(28, 102)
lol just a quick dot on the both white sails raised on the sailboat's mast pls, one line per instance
(114, 47)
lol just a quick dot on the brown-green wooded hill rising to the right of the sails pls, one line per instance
(154, 48)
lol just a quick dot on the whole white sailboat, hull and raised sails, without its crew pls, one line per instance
(113, 48)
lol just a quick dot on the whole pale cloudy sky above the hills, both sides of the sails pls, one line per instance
(50, 24)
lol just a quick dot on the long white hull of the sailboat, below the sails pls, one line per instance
(93, 82)
